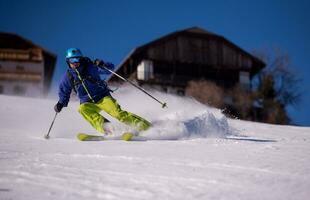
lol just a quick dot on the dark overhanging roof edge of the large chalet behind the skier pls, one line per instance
(193, 31)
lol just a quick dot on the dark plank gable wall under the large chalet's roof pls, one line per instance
(202, 51)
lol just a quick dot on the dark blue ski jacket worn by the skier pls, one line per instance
(89, 85)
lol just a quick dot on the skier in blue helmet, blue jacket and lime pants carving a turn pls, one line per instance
(83, 76)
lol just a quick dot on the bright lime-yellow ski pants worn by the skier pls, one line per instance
(91, 112)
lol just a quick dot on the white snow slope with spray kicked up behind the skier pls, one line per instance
(192, 152)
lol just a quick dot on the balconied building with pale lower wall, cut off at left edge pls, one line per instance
(26, 69)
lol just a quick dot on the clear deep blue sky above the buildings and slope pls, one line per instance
(109, 29)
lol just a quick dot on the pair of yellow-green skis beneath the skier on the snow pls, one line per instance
(125, 136)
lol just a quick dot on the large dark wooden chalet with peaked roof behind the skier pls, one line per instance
(170, 62)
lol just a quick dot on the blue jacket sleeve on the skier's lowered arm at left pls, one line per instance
(65, 89)
